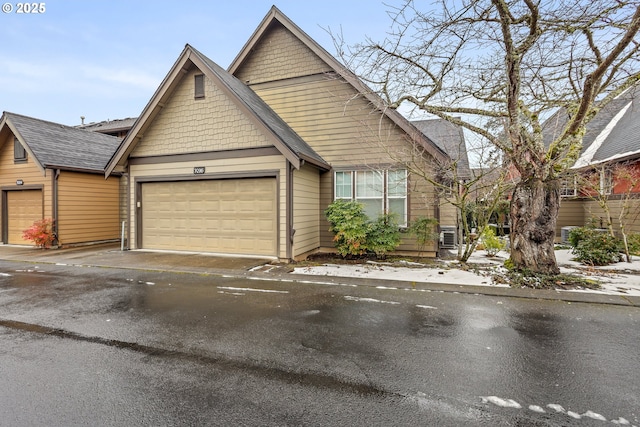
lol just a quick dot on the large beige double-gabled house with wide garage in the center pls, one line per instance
(245, 161)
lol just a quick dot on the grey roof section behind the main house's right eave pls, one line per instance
(450, 139)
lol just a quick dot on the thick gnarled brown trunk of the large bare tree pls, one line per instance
(534, 213)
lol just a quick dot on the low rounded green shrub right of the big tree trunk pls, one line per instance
(594, 247)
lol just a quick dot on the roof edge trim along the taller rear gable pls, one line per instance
(276, 16)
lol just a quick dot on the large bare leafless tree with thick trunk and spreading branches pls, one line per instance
(503, 67)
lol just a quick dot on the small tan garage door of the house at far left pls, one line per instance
(24, 207)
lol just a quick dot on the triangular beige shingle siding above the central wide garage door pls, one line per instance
(188, 125)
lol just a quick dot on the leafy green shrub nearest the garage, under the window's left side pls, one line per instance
(348, 223)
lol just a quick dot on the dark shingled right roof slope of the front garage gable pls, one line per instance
(264, 112)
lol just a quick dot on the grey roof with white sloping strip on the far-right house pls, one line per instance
(613, 134)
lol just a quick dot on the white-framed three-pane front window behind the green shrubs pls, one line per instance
(378, 191)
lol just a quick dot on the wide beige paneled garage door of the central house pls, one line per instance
(234, 216)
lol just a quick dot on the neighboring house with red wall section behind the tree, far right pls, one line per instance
(612, 139)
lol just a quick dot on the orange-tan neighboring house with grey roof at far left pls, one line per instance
(48, 170)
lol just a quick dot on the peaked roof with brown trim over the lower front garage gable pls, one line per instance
(284, 138)
